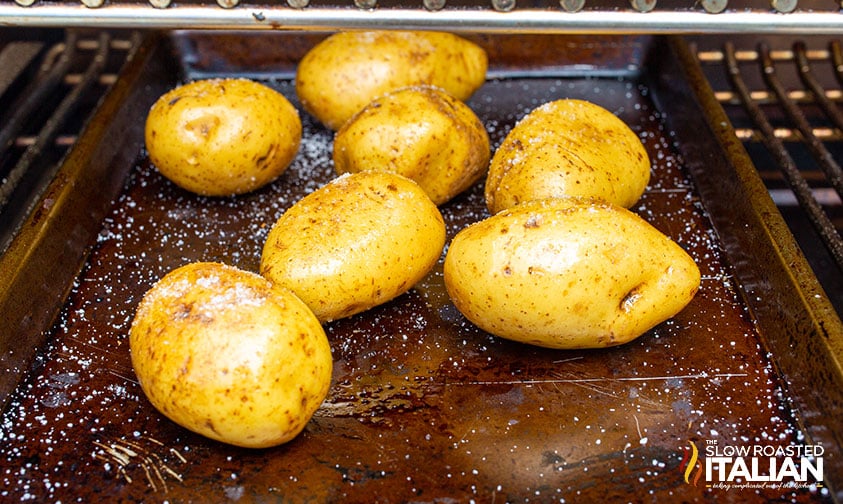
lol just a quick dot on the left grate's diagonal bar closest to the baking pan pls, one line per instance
(52, 127)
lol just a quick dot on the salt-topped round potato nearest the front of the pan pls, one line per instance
(226, 354)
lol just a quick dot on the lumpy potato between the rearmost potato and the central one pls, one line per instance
(420, 132)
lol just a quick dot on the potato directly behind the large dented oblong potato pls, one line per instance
(568, 148)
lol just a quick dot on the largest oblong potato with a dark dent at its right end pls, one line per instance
(568, 273)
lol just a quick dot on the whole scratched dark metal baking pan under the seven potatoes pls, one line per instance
(424, 407)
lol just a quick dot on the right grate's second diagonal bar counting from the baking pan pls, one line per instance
(824, 158)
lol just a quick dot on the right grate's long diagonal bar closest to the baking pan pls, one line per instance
(801, 190)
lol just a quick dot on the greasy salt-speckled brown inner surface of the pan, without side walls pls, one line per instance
(424, 406)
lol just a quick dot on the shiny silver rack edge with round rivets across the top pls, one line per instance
(509, 16)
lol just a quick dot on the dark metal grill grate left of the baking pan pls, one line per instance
(49, 87)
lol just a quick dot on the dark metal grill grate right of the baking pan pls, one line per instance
(783, 98)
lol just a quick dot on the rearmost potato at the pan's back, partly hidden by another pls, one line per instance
(344, 72)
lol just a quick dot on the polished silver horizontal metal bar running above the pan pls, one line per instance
(526, 20)
